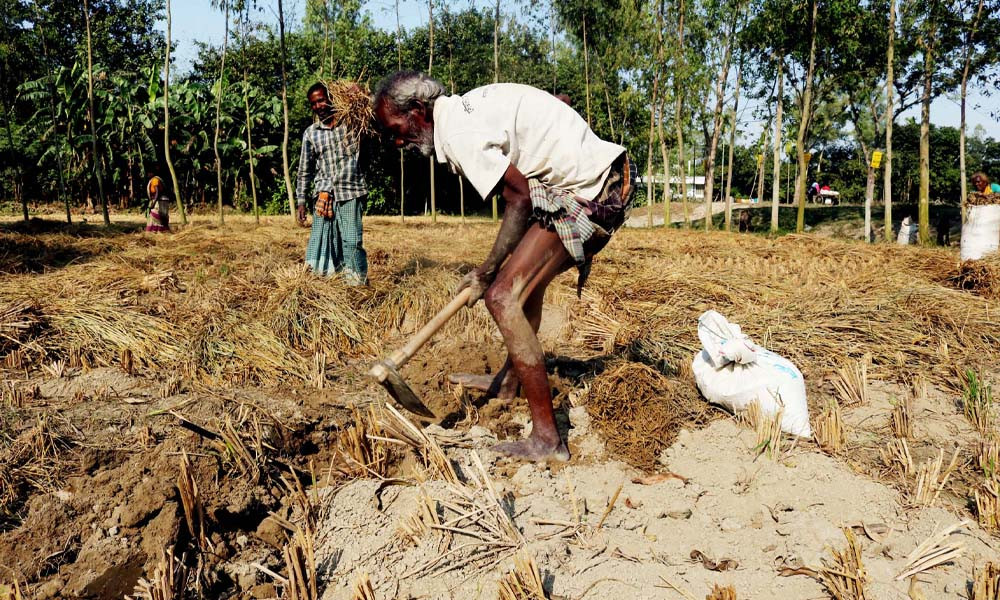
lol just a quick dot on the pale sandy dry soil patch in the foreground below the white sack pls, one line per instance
(761, 513)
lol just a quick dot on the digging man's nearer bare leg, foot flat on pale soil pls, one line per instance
(536, 260)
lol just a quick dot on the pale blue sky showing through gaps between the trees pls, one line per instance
(195, 20)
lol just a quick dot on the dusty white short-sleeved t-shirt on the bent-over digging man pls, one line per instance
(481, 133)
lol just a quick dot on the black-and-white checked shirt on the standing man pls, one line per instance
(330, 162)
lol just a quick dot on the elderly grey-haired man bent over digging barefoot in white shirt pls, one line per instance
(566, 191)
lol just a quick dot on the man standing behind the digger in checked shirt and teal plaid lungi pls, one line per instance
(331, 164)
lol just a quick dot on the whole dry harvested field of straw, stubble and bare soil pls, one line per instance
(187, 415)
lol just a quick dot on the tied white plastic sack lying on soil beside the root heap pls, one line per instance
(770, 380)
